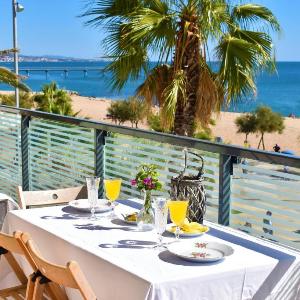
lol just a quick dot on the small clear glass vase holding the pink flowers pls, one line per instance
(145, 217)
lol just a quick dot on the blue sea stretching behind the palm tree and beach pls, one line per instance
(279, 90)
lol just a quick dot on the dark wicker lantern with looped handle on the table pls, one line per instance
(191, 187)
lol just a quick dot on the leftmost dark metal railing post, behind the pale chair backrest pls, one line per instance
(25, 120)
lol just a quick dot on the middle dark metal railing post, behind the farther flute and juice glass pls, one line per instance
(99, 157)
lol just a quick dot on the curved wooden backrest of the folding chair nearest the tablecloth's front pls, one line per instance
(69, 276)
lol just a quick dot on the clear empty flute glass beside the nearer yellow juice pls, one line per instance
(160, 217)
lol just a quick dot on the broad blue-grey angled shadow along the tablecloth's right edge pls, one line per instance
(285, 262)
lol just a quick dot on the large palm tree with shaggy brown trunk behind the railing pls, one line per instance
(178, 32)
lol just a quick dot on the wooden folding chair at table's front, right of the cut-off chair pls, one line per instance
(69, 276)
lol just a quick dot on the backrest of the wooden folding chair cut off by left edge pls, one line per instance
(9, 245)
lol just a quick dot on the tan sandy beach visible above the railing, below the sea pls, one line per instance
(96, 109)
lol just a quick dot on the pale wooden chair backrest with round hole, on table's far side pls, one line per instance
(50, 197)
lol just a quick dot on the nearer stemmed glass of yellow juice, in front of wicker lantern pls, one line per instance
(178, 209)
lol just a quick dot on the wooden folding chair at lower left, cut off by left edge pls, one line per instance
(9, 245)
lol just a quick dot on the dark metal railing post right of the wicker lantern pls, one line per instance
(225, 172)
